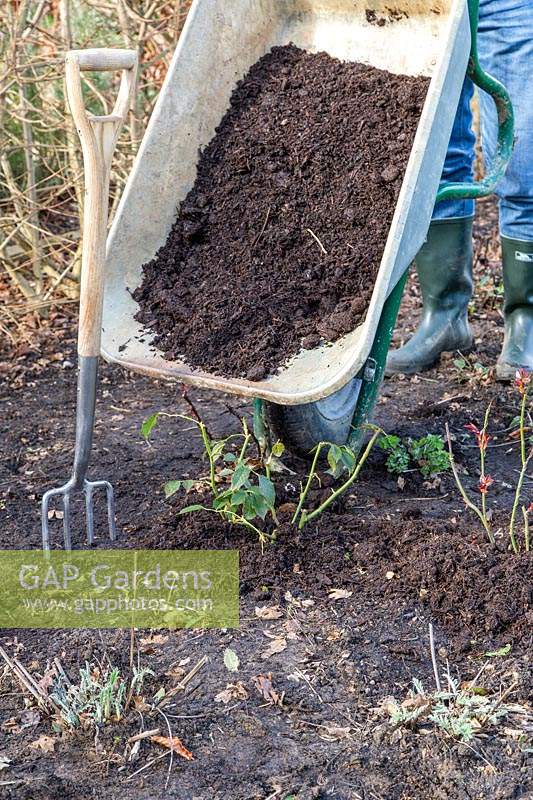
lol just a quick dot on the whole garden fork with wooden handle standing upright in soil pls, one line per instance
(98, 137)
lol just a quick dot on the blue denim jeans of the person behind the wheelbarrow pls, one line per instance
(505, 45)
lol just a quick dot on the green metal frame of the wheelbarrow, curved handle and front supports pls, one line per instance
(371, 379)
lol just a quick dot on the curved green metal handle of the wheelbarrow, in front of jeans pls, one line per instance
(504, 149)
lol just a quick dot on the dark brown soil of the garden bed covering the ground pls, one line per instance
(329, 740)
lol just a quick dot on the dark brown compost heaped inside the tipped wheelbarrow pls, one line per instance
(277, 245)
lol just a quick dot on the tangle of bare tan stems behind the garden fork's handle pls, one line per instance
(41, 177)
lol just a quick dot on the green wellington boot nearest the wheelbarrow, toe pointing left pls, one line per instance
(444, 267)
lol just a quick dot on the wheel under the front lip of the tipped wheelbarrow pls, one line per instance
(302, 427)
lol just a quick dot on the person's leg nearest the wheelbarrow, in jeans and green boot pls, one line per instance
(444, 263)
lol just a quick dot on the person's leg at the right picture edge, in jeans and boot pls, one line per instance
(506, 51)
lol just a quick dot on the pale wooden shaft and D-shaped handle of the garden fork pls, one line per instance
(98, 136)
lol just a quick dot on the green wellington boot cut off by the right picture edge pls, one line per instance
(518, 308)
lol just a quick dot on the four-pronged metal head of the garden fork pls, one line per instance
(66, 492)
